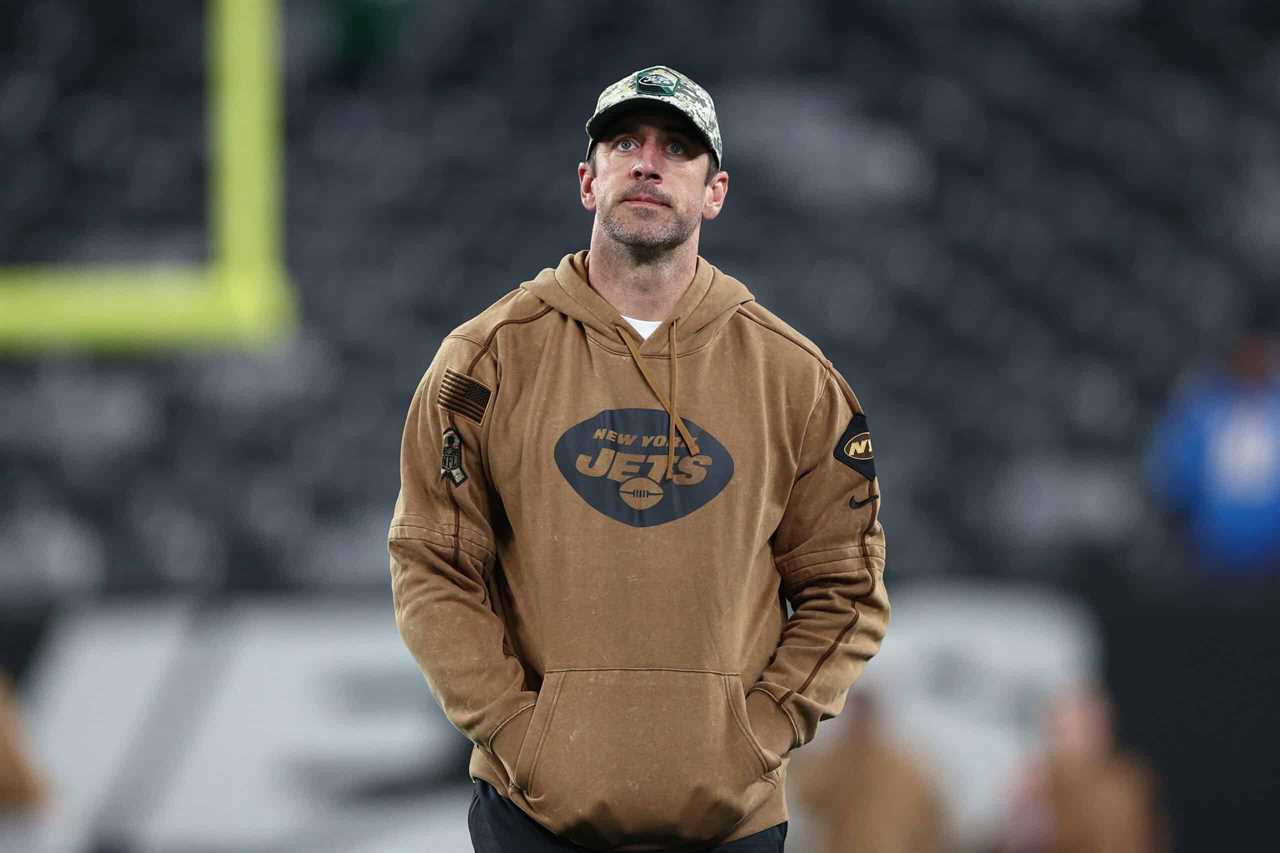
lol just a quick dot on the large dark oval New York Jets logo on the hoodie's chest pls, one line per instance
(618, 463)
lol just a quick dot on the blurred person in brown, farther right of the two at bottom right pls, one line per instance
(1081, 795)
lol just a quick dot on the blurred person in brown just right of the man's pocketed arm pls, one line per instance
(867, 793)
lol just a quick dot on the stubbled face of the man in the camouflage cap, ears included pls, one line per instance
(650, 186)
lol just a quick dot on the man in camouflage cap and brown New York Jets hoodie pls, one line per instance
(591, 562)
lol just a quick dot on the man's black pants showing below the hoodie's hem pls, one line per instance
(499, 827)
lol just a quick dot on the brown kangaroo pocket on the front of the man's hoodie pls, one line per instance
(642, 758)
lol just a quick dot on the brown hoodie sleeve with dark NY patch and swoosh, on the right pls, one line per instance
(830, 551)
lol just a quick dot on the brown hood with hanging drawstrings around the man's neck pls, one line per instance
(703, 309)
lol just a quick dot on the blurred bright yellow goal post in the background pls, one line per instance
(244, 295)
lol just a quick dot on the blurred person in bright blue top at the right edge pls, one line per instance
(1215, 458)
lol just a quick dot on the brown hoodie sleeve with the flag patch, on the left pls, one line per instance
(442, 551)
